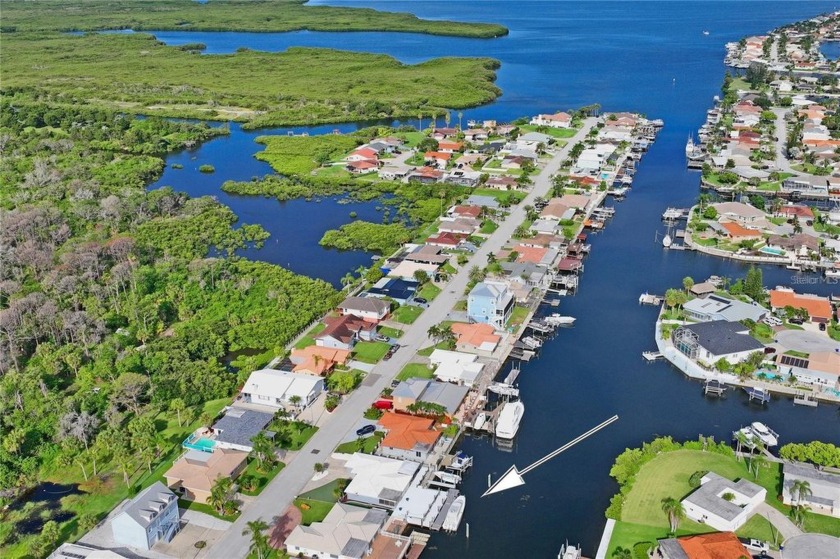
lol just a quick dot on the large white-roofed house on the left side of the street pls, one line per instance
(279, 389)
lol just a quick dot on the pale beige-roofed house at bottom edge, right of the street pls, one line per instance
(345, 533)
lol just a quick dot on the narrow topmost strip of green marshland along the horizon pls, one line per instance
(230, 15)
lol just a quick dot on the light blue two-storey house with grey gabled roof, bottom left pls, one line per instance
(148, 518)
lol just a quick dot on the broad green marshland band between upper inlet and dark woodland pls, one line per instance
(137, 74)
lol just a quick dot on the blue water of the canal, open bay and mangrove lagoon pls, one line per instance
(650, 57)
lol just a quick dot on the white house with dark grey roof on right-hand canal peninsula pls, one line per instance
(710, 341)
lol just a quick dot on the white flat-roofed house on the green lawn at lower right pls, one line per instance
(723, 504)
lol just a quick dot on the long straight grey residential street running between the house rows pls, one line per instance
(285, 487)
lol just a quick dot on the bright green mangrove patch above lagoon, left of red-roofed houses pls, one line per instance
(299, 155)
